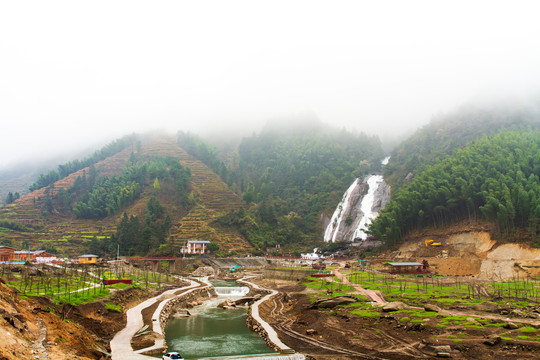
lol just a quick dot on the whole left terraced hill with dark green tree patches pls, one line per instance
(137, 197)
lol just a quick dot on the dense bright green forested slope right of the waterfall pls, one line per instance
(494, 179)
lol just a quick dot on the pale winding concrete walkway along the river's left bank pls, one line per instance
(121, 343)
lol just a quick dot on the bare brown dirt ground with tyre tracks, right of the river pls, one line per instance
(337, 334)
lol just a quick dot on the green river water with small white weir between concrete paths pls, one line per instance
(214, 332)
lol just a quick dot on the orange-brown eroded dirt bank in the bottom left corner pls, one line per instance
(35, 326)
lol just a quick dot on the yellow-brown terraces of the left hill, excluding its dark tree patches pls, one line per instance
(70, 235)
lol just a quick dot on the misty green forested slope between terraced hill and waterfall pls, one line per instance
(292, 175)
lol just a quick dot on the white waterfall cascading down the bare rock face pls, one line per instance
(356, 211)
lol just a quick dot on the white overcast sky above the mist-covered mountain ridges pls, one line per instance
(73, 73)
